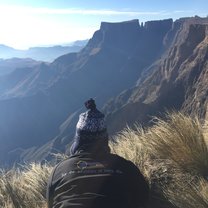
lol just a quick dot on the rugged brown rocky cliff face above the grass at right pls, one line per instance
(177, 81)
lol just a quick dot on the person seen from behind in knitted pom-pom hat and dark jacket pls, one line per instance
(92, 177)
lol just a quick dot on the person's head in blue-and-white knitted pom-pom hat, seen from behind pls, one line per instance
(91, 132)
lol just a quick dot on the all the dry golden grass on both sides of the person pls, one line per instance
(172, 154)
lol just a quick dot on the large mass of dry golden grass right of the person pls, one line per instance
(173, 155)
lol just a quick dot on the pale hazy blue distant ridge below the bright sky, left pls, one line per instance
(47, 54)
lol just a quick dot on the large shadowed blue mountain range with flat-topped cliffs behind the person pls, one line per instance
(134, 71)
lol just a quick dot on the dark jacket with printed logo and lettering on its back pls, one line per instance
(88, 181)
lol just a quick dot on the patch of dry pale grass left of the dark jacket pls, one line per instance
(25, 187)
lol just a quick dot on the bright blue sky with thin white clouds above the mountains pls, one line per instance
(29, 23)
